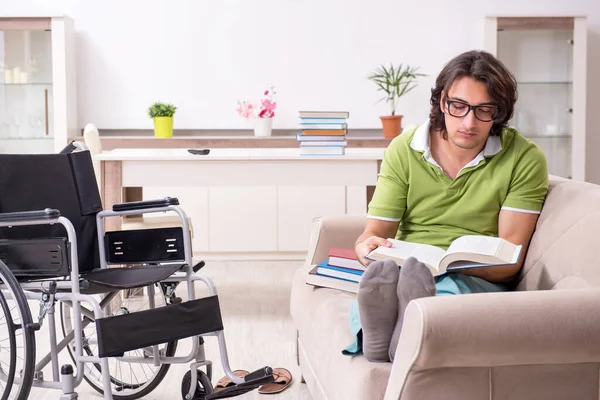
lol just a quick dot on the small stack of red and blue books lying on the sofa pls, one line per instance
(341, 270)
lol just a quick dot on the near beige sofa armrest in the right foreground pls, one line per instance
(497, 329)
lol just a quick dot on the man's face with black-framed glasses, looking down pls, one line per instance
(467, 131)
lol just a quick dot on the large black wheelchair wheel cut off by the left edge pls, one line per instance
(17, 339)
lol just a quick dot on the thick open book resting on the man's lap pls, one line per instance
(465, 252)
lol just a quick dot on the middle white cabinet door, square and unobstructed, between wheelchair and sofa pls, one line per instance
(243, 219)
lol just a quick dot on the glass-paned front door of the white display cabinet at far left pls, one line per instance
(27, 91)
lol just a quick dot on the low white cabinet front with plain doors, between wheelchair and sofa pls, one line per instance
(267, 219)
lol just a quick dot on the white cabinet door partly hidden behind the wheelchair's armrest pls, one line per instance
(194, 201)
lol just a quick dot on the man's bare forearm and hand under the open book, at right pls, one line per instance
(516, 227)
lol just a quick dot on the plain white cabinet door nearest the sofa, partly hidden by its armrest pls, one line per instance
(297, 207)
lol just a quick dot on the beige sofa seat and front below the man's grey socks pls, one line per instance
(321, 317)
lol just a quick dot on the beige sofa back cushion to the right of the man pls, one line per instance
(565, 251)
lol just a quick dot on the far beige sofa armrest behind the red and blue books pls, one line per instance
(333, 231)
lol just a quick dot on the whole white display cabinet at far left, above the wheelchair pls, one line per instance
(38, 105)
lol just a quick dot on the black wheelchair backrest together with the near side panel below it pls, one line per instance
(65, 182)
